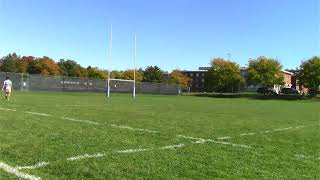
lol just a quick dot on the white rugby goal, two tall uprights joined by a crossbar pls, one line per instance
(121, 85)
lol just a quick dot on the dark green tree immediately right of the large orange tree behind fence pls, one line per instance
(71, 68)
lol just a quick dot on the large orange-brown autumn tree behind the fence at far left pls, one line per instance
(44, 66)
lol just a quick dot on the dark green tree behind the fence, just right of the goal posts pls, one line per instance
(153, 74)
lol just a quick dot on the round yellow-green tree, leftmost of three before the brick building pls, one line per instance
(224, 76)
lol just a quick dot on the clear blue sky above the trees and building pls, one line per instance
(172, 34)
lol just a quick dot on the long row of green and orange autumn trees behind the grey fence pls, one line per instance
(67, 67)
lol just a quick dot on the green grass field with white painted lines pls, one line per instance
(83, 136)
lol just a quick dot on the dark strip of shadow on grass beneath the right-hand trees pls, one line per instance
(257, 96)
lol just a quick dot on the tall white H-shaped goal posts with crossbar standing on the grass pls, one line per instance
(121, 80)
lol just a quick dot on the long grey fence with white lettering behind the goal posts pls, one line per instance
(35, 82)
